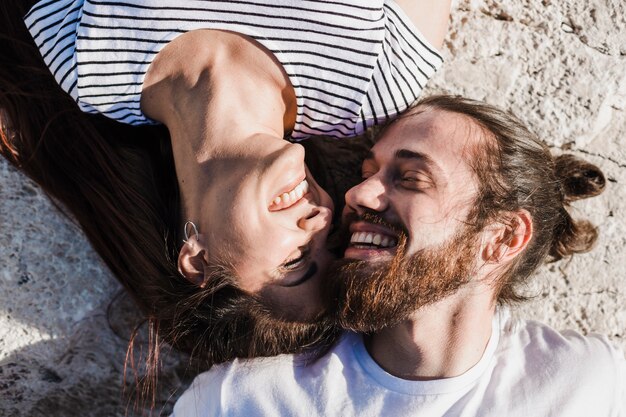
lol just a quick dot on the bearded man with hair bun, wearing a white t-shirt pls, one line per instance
(459, 204)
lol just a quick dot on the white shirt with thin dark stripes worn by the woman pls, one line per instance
(352, 63)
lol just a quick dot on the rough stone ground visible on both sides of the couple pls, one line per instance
(559, 65)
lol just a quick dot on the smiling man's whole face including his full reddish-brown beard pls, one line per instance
(410, 243)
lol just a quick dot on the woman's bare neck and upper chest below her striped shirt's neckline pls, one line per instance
(214, 90)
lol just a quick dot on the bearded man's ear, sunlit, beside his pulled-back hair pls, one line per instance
(508, 237)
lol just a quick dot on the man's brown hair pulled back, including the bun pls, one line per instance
(516, 171)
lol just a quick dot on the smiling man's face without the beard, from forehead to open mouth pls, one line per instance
(419, 180)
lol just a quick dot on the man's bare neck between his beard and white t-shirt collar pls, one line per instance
(441, 340)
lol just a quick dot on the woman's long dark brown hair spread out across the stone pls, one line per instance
(119, 183)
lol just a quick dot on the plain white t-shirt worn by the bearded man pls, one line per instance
(527, 370)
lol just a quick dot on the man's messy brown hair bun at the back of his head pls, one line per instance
(578, 179)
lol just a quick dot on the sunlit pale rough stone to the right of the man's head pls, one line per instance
(561, 67)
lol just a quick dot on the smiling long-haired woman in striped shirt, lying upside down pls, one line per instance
(255, 221)
